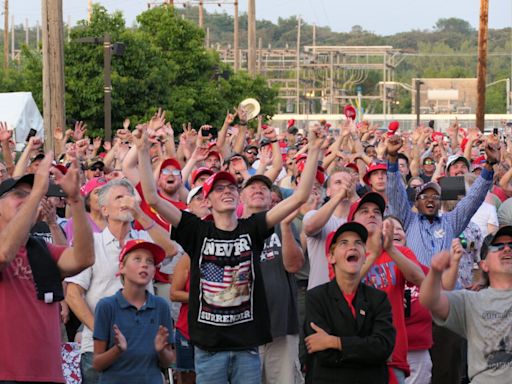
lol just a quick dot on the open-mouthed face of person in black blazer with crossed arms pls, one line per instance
(347, 254)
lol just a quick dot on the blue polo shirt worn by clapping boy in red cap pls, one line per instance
(139, 363)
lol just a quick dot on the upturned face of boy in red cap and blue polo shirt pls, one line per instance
(138, 267)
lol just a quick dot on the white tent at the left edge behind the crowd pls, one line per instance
(20, 112)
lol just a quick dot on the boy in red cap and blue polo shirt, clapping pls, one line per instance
(131, 328)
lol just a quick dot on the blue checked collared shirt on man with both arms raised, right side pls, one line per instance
(427, 238)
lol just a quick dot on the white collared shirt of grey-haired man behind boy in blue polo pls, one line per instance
(100, 280)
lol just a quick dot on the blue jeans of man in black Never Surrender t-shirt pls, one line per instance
(234, 367)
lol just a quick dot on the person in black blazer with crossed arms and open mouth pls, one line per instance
(349, 325)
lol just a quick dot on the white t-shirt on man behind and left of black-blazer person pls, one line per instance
(318, 265)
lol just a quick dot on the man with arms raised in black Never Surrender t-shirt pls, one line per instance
(228, 315)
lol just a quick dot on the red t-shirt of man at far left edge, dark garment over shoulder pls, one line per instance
(29, 328)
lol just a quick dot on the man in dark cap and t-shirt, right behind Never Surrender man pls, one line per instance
(282, 256)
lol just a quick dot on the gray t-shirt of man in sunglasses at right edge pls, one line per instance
(484, 318)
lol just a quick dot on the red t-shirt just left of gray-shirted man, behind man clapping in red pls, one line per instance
(419, 323)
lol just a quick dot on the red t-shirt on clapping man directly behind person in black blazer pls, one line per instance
(385, 275)
